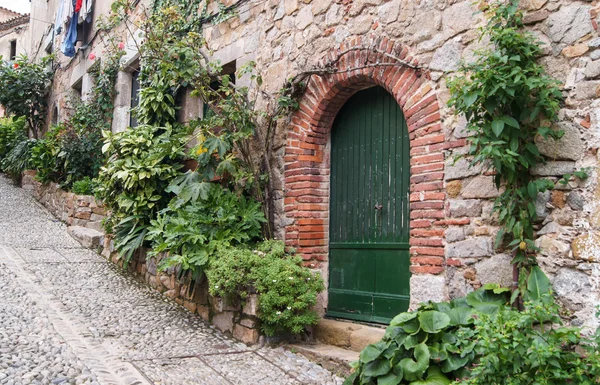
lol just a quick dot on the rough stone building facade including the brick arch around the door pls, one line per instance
(410, 49)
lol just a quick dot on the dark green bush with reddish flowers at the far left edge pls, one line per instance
(23, 89)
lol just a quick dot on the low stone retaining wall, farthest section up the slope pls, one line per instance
(74, 210)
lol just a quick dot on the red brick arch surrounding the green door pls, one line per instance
(307, 161)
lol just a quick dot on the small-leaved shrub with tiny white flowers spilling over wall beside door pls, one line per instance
(287, 291)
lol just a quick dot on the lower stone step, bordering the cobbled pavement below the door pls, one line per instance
(332, 358)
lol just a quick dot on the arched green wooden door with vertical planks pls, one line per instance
(369, 209)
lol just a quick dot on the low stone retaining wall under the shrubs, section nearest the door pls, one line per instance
(237, 317)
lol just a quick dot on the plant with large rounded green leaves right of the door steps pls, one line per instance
(429, 346)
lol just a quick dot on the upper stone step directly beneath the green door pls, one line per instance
(347, 335)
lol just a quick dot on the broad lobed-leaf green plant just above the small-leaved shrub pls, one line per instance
(193, 233)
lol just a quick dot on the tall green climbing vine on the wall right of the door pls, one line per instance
(508, 100)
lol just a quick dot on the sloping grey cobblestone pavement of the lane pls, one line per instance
(69, 317)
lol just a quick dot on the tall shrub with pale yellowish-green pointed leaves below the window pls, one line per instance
(141, 164)
